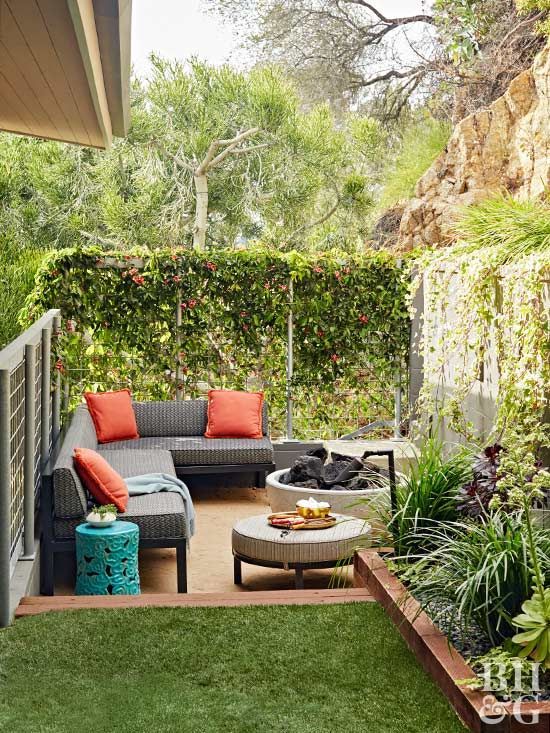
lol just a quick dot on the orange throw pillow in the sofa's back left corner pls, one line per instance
(113, 415)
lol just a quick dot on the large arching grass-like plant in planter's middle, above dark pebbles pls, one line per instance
(479, 574)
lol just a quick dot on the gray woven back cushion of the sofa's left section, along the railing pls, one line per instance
(70, 499)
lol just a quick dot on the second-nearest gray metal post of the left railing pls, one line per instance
(28, 466)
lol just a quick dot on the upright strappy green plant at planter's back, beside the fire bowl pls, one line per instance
(428, 494)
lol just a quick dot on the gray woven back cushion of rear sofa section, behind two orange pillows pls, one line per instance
(176, 418)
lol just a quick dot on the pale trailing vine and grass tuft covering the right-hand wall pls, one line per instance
(487, 316)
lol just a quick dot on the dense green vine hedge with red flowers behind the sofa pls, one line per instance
(350, 325)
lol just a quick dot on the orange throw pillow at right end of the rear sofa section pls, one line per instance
(234, 414)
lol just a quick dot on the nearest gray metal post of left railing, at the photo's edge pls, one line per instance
(5, 497)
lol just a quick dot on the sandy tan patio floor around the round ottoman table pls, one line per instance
(210, 562)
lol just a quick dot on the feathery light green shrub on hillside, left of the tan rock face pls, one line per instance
(422, 141)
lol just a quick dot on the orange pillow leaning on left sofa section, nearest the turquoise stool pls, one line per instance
(103, 482)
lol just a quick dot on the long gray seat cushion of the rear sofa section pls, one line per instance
(199, 451)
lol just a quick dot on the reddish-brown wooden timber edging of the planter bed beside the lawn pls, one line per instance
(440, 659)
